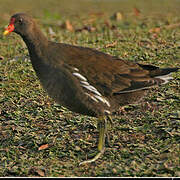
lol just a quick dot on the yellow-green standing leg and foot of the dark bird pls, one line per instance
(102, 126)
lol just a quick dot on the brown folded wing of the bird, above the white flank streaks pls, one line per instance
(108, 74)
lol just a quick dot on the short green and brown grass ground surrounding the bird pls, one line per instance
(40, 138)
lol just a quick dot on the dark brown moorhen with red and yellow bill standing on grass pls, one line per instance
(85, 80)
